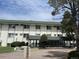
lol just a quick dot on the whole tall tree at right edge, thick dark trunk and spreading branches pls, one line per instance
(73, 6)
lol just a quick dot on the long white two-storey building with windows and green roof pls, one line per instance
(12, 30)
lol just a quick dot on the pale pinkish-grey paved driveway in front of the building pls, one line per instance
(50, 53)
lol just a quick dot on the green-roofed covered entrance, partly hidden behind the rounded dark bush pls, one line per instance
(51, 42)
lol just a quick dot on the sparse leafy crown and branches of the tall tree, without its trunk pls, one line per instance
(72, 5)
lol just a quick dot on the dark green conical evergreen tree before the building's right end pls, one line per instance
(68, 27)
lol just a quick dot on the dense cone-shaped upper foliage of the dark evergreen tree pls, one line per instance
(67, 24)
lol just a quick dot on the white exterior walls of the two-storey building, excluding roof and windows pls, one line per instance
(19, 31)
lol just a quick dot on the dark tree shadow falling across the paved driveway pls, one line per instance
(51, 54)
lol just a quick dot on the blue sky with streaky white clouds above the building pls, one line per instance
(38, 10)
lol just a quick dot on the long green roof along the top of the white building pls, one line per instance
(3, 21)
